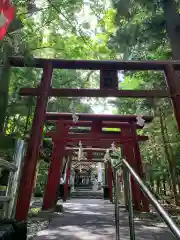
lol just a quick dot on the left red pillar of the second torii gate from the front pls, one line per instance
(55, 166)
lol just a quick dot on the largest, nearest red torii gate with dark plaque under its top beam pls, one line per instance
(44, 91)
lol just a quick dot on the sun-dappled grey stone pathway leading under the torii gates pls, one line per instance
(93, 219)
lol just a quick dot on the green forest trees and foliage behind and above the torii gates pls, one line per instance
(95, 29)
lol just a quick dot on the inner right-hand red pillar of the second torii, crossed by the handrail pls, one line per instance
(129, 155)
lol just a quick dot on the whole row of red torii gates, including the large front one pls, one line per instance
(62, 137)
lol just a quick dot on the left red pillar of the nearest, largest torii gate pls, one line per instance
(30, 161)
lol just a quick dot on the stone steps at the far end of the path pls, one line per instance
(83, 193)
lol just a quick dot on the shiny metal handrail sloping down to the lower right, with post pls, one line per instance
(129, 171)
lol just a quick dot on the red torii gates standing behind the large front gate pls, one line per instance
(62, 137)
